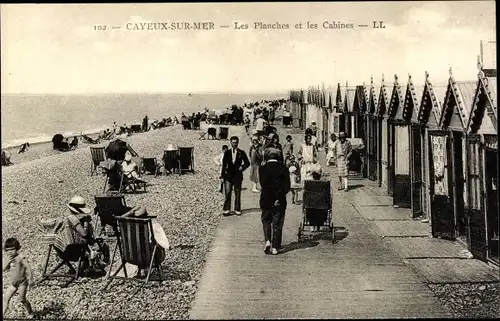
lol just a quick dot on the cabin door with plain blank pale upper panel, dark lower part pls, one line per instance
(401, 161)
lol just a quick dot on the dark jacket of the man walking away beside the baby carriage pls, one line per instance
(274, 180)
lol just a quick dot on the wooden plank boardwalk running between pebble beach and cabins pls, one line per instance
(358, 277)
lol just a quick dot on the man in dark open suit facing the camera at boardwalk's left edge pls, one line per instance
(234, 163)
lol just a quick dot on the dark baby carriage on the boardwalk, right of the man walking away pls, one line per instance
(316, 208)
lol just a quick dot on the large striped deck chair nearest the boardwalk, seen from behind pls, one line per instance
(138, 247)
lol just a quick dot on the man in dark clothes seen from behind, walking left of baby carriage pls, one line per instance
(275, 184)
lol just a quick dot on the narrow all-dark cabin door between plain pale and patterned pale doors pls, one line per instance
(416, 171)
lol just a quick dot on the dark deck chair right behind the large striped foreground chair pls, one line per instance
(108, 207)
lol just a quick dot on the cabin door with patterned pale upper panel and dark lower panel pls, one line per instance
(441, 185)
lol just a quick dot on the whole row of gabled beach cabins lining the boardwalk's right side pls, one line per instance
(434, 149)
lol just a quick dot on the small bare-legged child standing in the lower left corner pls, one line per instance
(20, 275)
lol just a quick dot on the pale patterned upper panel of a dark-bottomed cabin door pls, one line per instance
(440, 160)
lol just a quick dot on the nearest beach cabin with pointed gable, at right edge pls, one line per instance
(482, 169)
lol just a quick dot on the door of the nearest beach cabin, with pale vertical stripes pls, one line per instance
(476, 225)
